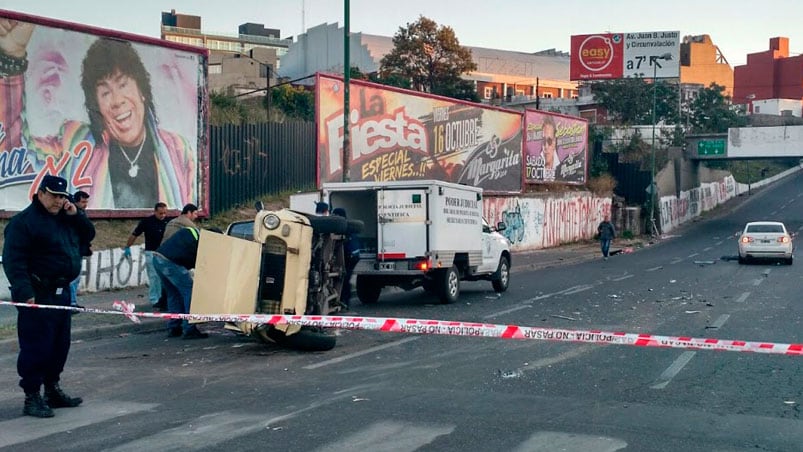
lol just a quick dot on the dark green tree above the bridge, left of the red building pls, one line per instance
(711, 111)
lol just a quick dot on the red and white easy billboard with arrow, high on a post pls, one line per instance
(618, 55)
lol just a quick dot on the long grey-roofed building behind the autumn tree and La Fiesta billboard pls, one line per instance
(501, 76)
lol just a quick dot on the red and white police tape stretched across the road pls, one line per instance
(456, 328)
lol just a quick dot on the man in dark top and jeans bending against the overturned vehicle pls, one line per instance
(173, 261)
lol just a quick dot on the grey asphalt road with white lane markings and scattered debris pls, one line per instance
(384, 391)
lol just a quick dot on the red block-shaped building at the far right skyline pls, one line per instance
(771, 74)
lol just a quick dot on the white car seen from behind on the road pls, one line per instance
(765, 240)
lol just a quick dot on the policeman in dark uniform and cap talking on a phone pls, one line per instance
(41, 256)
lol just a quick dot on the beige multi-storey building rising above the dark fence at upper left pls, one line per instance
(240, 62)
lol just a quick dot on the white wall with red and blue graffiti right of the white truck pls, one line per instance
(535, 223)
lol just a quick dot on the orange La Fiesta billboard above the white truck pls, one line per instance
(405, 135)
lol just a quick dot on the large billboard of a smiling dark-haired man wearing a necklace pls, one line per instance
(120, 117)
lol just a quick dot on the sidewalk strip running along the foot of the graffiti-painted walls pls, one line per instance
(90, 326)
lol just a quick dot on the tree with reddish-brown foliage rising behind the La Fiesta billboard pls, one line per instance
(431, 58)
